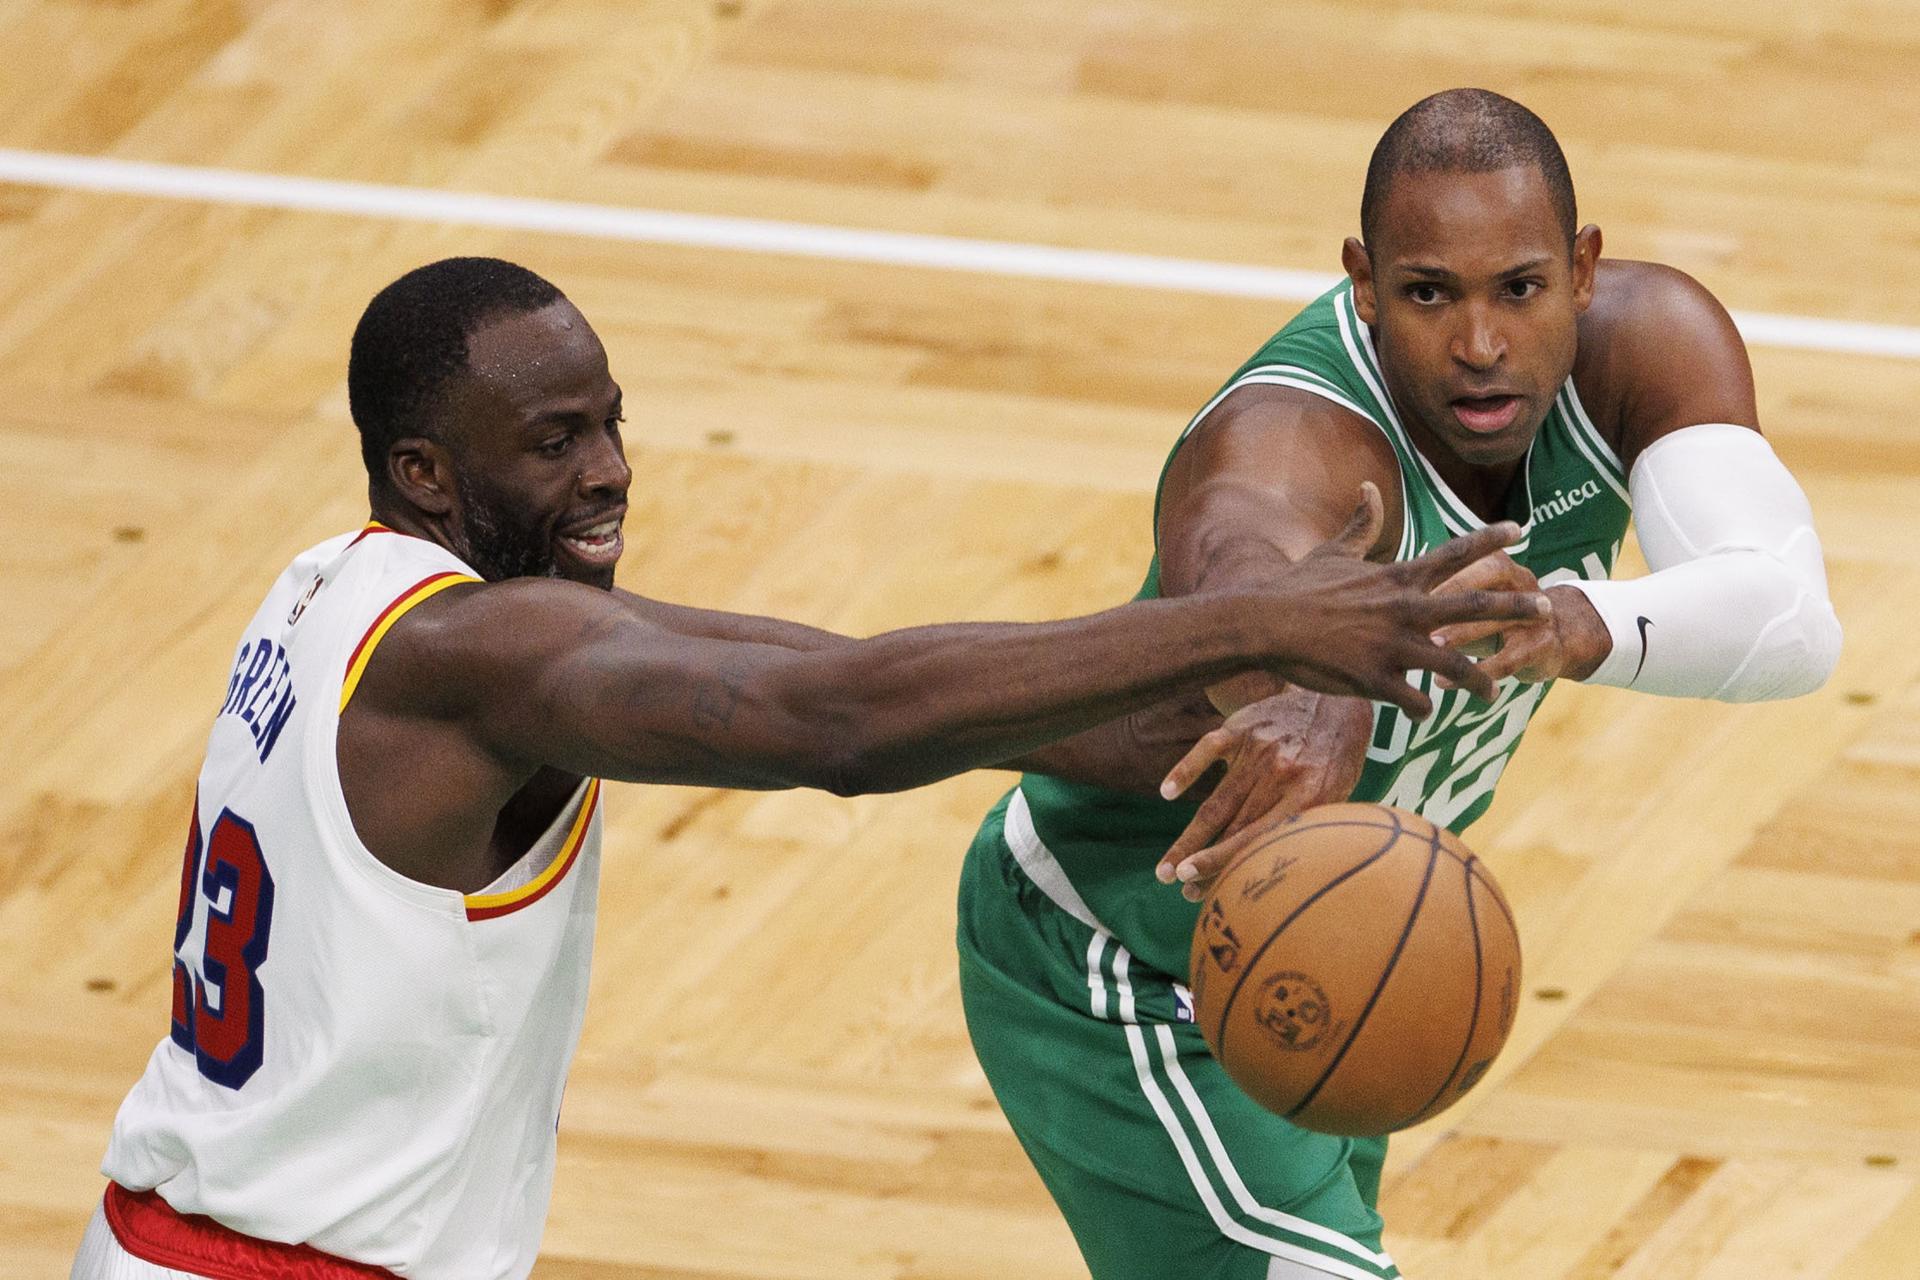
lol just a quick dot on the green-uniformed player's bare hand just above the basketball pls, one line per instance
(1284, 755)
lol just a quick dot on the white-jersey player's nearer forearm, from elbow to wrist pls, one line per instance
(913, 707)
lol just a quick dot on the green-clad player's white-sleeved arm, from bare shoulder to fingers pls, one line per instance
(1737, 604)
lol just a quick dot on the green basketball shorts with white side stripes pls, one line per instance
(1163, 1168)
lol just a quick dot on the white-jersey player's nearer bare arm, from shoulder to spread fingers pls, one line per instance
(554, 675)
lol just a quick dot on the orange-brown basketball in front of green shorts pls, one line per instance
(1356, 972)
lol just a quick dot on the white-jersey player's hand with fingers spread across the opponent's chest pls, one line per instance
(1358, 628)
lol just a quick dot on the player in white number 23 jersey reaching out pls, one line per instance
(389, 884)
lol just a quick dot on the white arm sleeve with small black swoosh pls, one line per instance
(1735, 605)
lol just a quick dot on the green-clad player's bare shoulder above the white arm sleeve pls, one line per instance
(1660, 352)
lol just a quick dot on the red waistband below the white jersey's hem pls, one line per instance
(156, 1233)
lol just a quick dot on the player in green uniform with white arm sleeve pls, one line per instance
(1479, 364)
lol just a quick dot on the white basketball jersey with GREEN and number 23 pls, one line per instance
(358, 1062)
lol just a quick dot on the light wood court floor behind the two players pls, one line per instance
(1717, 1074)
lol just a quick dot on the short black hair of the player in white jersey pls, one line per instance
(412, 341)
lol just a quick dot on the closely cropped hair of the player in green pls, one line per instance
(1466, 131)
